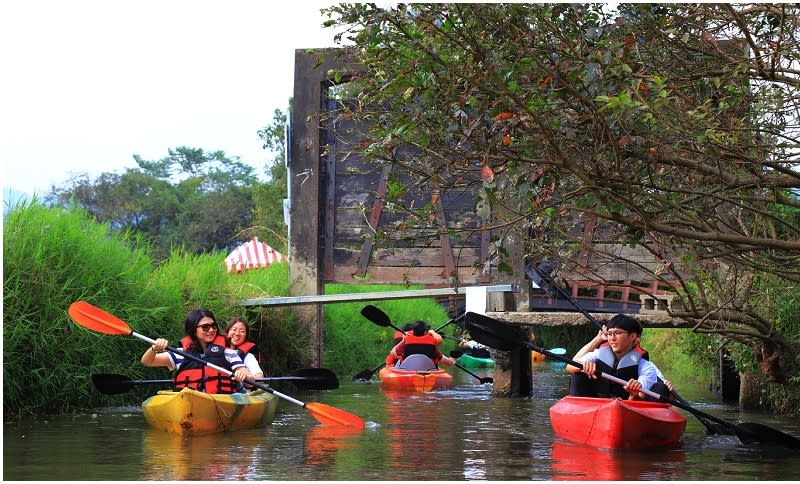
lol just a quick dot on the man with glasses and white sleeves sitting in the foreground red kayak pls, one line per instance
(615, 351)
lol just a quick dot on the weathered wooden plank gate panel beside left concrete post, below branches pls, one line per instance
(353, 186)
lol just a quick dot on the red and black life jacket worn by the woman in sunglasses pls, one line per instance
(200, 377)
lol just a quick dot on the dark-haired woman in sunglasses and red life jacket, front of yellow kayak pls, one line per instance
(204, 341)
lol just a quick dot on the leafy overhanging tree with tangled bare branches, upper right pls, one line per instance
(674, 126)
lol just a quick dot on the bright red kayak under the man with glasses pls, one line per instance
(613, 423)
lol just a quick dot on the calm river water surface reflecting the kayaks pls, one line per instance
(459, 434)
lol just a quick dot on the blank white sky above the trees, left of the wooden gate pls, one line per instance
(85, 84)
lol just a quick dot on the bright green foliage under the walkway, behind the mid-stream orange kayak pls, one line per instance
(353, 343)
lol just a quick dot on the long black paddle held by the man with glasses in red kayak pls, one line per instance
(496, 334)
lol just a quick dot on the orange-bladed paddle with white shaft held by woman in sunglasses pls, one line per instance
(96, 319)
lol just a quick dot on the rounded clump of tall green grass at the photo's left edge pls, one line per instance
(52, 258)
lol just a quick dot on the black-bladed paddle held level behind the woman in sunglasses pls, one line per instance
(305, 379)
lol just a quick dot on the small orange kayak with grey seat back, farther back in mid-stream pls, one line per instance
(417, 373)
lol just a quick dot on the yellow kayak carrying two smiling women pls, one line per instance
(189, 412)
